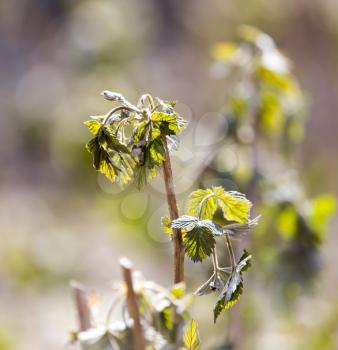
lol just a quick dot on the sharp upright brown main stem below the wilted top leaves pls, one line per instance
(173, 211)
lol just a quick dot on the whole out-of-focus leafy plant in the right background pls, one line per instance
(265, 114)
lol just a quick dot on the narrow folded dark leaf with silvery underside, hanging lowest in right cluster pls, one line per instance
(233, 287)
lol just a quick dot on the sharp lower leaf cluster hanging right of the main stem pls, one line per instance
(200, 233)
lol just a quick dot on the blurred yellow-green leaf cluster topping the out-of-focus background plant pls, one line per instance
(272, 103)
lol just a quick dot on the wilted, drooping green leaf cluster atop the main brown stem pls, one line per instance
(131, 142)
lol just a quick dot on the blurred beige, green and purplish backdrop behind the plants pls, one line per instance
(61, 221)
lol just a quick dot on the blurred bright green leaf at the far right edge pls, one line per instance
(322, 208)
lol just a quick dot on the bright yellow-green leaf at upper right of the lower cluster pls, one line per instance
(234, 205)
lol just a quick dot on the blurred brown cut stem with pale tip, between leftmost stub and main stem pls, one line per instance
(132, 305)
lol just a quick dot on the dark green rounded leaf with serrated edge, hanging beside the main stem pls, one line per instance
(199, 243)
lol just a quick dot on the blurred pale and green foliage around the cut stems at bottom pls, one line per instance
(164, 318)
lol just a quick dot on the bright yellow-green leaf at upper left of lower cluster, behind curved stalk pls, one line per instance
(194, 201)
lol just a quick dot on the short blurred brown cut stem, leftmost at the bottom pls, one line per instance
(81, 304)
